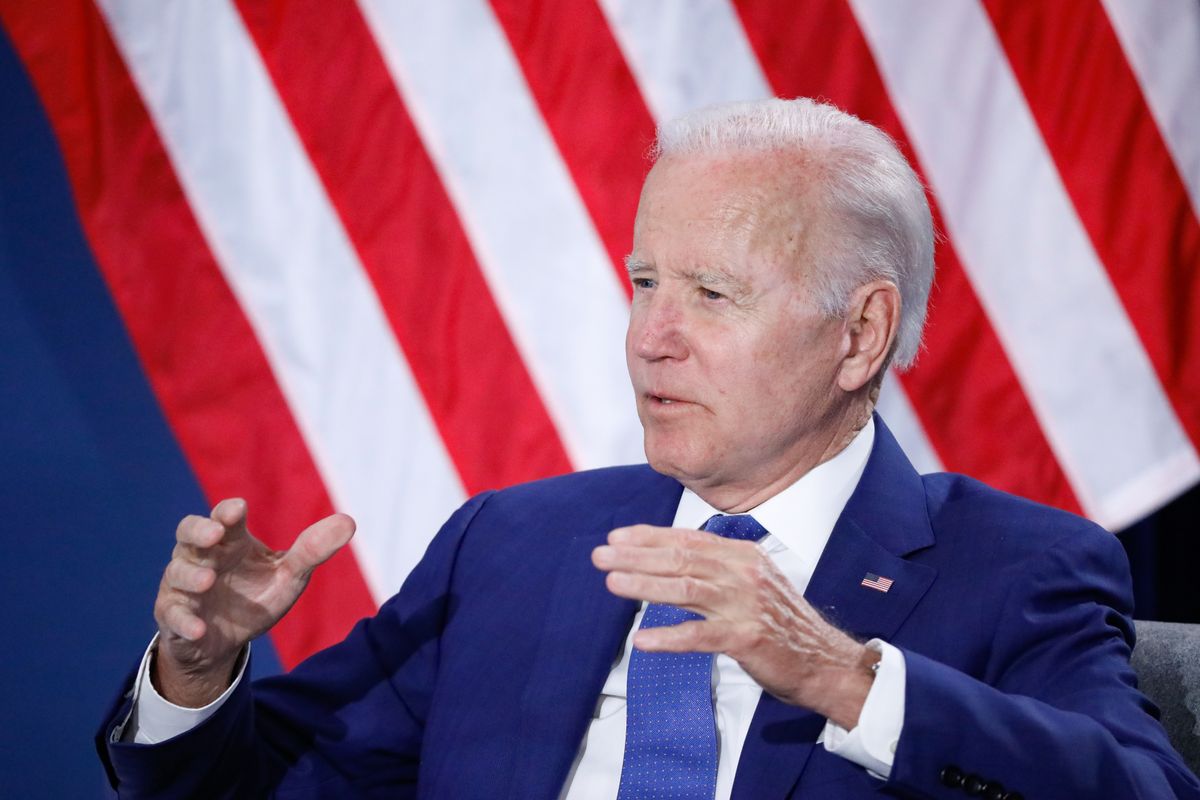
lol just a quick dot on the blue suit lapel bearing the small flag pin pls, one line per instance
(884, 522)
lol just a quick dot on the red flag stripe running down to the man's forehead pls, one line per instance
(591, 104)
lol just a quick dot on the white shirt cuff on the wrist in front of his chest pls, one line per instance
(873, 743)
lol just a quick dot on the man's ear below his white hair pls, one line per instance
(872, 323)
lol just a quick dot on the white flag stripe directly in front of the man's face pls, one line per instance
(530, 230)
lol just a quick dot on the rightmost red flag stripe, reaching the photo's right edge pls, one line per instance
(1120, 177)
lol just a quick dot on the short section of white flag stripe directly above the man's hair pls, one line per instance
(686, 55)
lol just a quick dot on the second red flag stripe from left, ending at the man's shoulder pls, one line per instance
(355, 127)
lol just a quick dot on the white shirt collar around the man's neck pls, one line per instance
(802, 516)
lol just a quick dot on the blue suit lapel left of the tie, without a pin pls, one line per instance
(584, 629)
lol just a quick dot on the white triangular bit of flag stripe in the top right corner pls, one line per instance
(1162, 41)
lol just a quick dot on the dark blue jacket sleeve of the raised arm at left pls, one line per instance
(346, 723)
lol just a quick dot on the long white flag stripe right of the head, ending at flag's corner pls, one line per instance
(1046, 292)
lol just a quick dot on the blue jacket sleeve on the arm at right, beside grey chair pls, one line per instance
(1058, 714)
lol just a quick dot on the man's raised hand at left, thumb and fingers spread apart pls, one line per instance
(221, 590)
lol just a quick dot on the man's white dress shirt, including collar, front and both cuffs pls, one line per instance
(800, 521)
